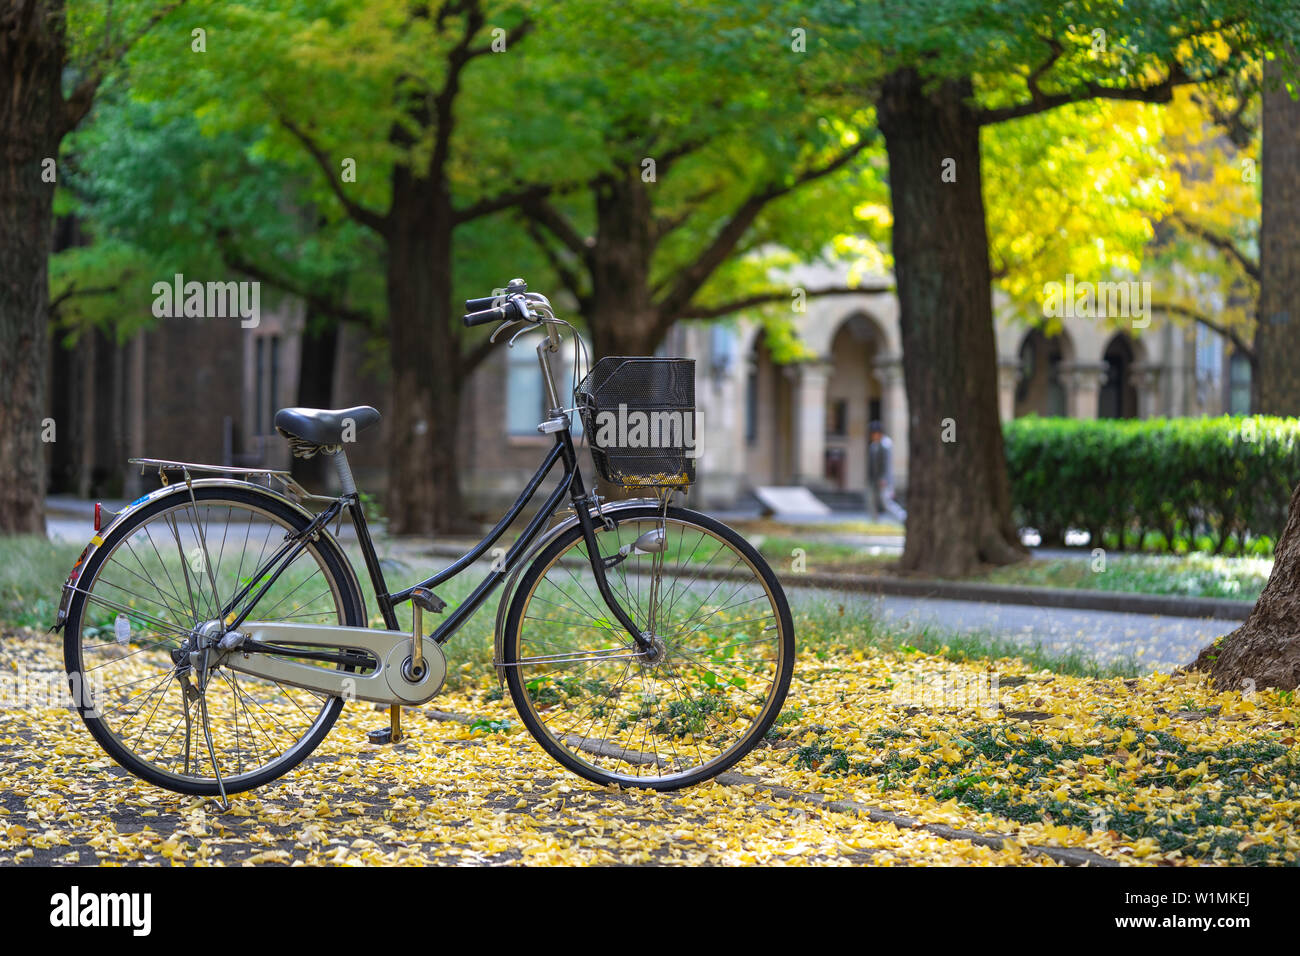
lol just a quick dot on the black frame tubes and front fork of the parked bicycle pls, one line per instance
(571, 483)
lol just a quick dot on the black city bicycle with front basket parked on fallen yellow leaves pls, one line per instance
(643, 644)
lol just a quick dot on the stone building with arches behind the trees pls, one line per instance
(207, 391)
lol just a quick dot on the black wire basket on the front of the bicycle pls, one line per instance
(639, 416)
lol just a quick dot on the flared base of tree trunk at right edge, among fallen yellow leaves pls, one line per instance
(1266, 651)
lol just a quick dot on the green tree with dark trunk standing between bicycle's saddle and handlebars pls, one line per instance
(385, 101)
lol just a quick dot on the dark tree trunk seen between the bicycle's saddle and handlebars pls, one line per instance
(424, 490)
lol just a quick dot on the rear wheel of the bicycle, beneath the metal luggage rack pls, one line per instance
(161, 582)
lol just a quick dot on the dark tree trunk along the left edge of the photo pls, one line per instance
(32, 116)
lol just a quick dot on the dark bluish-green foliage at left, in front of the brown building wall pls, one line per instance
(162, 198)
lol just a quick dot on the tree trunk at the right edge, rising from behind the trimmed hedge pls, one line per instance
(1277, 339)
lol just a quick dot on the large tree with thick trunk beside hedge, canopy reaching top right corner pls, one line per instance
(939, 75)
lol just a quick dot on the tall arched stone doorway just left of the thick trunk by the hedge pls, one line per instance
(853, 399)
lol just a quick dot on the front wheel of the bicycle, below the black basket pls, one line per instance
(691, 706)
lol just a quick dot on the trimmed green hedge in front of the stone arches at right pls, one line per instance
(1162, 485)
